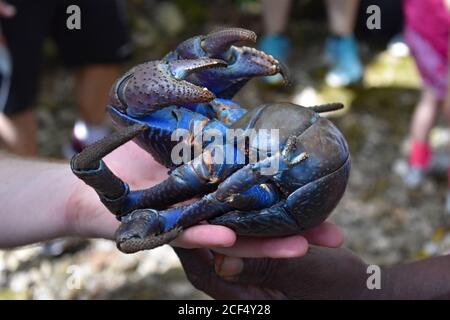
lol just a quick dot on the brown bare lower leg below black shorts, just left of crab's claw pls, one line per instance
(91, 90)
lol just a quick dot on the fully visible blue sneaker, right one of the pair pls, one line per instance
(346, 68)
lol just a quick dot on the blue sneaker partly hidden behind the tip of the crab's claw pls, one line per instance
(278, 46)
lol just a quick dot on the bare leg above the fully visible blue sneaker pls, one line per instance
(342, 16)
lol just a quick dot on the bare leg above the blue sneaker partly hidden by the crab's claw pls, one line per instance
(275, 15)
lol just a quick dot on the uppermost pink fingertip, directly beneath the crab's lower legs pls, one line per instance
(205, 236)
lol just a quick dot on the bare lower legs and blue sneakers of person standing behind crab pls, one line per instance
(341, 50)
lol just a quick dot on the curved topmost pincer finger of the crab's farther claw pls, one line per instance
(216, 44)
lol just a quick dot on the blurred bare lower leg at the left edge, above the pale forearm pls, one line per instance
(18, 133)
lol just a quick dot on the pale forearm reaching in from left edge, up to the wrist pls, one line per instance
(33, 195)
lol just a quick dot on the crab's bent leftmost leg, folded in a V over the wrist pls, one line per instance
(182, 184)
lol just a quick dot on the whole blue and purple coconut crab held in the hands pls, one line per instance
(191, 89)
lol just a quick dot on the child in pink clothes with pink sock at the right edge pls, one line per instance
(427, 30)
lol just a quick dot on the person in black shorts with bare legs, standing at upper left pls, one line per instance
(94, 52)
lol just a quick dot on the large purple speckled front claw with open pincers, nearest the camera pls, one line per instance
(157, 84)
